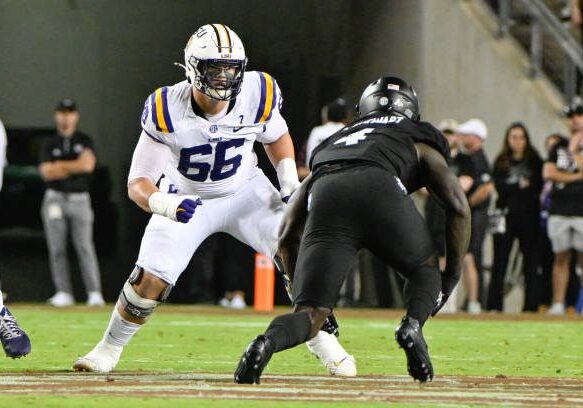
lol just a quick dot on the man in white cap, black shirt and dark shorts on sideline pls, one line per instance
(473, 133)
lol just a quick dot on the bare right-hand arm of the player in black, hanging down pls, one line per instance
(446, 188)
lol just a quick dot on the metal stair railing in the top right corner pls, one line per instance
(543, 20)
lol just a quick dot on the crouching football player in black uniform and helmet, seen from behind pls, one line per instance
(357, 197)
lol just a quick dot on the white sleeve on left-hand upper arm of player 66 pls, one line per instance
(149, 159)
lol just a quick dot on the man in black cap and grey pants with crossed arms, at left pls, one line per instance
(67, 160)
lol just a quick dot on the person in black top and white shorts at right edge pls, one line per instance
(565, 225)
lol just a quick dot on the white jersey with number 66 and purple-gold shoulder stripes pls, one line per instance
(214, 158)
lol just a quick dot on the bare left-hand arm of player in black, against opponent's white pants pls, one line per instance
(292, 227)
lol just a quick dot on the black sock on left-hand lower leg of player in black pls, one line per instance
(289, 330)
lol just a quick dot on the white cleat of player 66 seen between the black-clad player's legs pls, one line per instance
(330, 352)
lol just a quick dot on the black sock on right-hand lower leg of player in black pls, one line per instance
(421, 291)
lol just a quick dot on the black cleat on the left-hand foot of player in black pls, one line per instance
(254, 360)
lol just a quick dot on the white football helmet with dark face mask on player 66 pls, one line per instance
(214, 60)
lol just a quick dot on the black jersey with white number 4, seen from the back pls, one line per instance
(383, 140)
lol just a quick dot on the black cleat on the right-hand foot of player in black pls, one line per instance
(410, 338)
